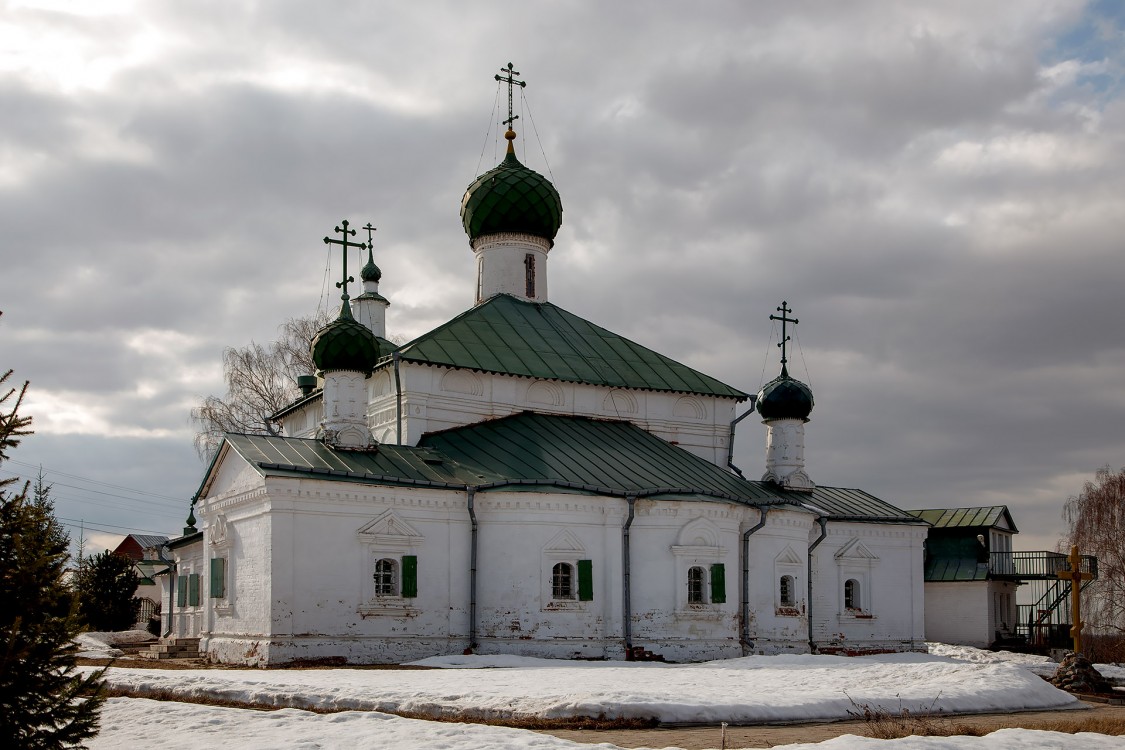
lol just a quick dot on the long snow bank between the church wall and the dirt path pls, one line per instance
(752, 690)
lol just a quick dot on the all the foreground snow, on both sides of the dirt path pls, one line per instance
(793, 689)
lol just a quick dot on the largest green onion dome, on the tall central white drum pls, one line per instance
(512, 198)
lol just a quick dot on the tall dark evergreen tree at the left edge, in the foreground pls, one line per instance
(44, 704)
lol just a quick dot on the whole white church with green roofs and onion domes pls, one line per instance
(521, 481)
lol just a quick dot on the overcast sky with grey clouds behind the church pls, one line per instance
(937, 188)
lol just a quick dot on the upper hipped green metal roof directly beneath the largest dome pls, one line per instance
(539, 340)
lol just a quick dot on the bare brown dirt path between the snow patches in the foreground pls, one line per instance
(704, 738)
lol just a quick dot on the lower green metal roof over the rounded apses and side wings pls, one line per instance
(529, 451)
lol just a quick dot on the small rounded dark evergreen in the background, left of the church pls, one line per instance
(105, 585)
